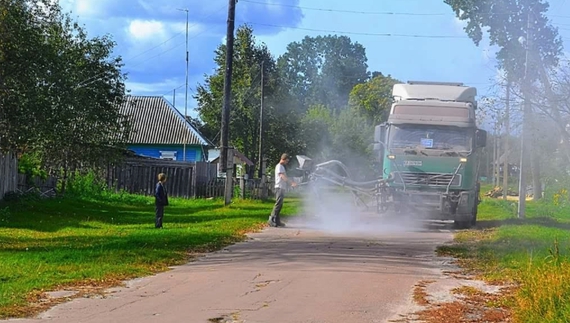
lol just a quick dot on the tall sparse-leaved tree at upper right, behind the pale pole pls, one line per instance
(508, 22)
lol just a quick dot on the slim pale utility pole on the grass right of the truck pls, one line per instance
(526, 110)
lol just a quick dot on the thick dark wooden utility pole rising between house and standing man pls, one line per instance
(227, 101)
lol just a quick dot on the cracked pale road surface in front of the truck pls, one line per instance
(291, 274)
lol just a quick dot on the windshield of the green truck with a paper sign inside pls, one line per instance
(430, 137)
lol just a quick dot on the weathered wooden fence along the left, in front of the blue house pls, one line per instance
(139, 176)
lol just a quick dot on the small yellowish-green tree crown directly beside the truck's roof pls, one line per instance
(373, 98)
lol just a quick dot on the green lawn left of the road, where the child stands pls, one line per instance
(50, 244)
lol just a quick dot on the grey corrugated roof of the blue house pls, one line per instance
(155, 121)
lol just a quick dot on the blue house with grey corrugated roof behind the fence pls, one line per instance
(159, 130)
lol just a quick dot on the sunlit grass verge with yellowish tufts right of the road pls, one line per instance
(531, 253)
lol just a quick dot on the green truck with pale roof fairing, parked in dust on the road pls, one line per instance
(429, 151)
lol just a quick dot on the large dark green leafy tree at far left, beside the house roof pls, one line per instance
(61, 90)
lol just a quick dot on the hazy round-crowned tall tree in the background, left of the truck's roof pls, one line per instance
(323, 70)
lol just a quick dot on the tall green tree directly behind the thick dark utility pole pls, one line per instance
(246, 98)
